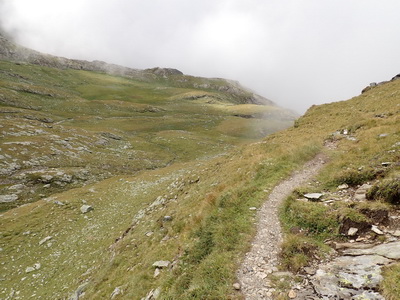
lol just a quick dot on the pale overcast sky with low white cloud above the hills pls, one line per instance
(296, 53)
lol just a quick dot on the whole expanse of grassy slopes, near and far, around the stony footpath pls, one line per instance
(170, 172)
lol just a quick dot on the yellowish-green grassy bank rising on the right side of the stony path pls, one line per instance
(365, 132)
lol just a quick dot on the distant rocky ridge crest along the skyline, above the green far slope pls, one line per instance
(10, 51)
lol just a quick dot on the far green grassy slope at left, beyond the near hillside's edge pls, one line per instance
(62, 128)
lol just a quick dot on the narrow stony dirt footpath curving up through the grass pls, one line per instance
(262, 259)
